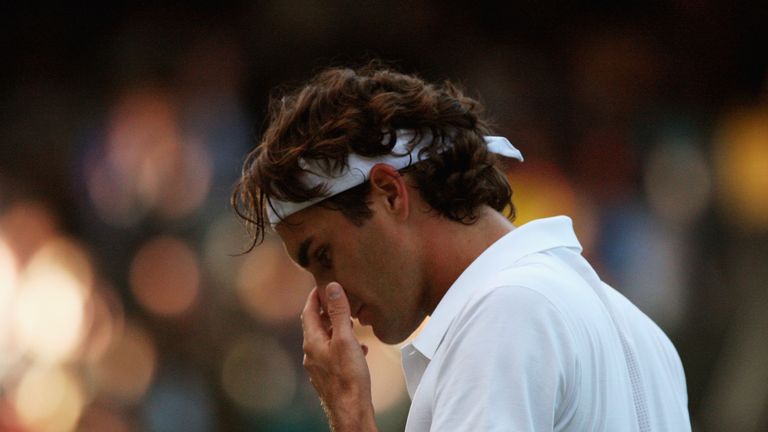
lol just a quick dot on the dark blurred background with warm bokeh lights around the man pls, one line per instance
(124, 305)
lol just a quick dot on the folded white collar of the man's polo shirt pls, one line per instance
(532, 237)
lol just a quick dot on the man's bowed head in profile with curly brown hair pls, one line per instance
(368, 238)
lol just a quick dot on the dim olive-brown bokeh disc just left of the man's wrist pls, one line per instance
(258, 374)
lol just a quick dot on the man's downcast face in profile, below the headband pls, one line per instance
(375, 264)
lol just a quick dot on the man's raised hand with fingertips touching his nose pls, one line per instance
(335, 361)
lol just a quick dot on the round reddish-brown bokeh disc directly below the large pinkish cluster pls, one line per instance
(165, 276)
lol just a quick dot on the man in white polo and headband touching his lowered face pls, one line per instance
(384, 188)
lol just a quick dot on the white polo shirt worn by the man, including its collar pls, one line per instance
(529, 339)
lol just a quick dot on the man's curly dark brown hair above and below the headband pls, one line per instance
(340, 111)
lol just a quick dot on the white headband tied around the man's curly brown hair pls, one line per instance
(358, 167)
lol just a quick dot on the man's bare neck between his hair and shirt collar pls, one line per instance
(450, 248)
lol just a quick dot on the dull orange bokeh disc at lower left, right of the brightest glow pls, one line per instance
(126, 370)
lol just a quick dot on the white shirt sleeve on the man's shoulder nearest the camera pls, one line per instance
(509, 366)
